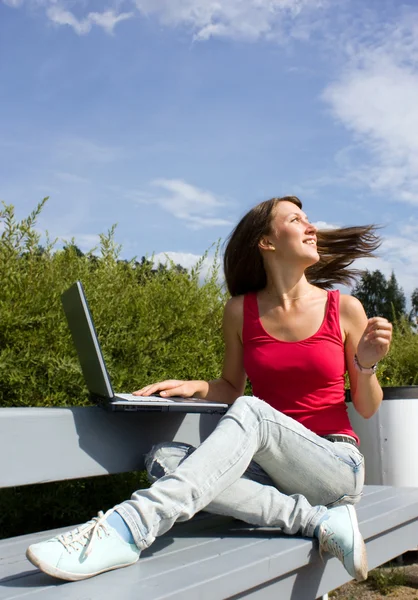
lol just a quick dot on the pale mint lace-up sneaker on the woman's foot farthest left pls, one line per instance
(86, 551)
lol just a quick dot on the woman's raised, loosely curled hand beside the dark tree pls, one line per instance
(375, 342)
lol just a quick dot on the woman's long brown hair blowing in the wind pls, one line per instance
(337, 248)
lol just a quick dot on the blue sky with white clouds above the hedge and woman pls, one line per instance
(173, 117)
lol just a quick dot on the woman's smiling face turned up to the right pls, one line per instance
(291, 234)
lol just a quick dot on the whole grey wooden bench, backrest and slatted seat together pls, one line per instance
(208, 558)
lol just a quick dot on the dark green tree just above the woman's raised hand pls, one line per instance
(380, 296)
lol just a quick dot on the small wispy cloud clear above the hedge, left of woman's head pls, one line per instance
(196, 207)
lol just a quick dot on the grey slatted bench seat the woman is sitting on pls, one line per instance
(214, 558)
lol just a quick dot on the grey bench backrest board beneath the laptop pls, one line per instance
(51, 444)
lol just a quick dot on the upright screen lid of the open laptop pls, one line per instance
(86, 343)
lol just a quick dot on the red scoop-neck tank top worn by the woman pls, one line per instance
(305, 379)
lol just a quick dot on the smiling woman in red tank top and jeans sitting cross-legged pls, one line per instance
(295, 341)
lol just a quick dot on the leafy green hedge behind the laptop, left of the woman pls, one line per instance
(151, 323)
